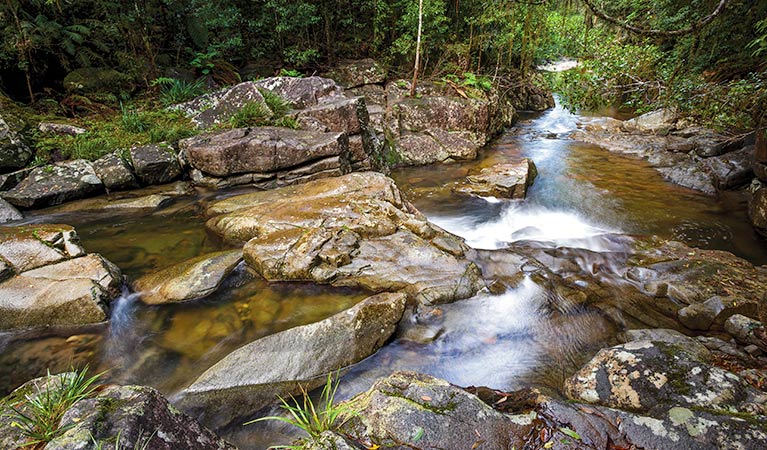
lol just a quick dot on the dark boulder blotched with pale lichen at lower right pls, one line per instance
(651, 376)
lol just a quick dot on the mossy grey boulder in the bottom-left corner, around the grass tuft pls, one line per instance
(136, 416)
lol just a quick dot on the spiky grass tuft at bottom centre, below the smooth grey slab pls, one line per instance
(310, 418)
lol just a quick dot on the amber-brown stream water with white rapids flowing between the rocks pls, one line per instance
(582, 198)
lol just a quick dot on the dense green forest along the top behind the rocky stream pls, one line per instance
(231, 40)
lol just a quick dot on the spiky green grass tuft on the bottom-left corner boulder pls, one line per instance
(38, 415)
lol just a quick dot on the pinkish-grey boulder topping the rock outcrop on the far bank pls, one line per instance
(301, 92)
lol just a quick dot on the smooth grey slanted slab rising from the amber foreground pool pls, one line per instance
(248, 379)
